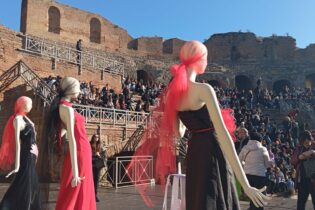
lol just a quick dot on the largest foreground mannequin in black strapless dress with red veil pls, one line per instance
(209, 178)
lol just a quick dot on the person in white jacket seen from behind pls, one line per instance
(255, 159)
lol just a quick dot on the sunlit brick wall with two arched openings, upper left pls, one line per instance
(56, 21)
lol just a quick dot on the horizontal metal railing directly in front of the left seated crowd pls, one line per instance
(114, 117)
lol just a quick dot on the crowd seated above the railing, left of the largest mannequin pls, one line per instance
(108, 97)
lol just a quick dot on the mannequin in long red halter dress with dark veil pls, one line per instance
(76, 187)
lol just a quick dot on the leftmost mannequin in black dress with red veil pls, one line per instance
(19, 147)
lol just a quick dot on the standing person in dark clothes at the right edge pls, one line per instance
(305, 185)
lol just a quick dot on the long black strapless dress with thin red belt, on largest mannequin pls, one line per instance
(209, 178)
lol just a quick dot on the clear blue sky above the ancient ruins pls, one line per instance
(194, 19)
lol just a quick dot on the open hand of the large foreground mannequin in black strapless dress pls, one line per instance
(256, 196)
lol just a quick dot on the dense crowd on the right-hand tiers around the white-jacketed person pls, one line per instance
(279, 140)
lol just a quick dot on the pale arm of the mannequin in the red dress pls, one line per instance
(67, 117)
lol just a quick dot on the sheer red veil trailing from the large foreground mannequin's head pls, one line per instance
(158, 139)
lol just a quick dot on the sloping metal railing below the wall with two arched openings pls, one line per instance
(71, 55)
